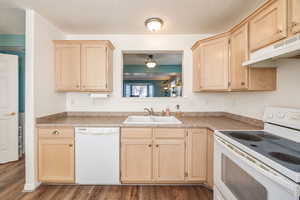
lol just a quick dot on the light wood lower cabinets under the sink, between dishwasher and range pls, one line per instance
(180, 157)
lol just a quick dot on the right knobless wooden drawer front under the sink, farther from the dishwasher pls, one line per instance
(169, 133)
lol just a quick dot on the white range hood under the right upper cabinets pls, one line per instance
(267, 57)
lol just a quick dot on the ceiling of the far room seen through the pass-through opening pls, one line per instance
(160, 58)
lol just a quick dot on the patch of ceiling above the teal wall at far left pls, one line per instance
(12, 21)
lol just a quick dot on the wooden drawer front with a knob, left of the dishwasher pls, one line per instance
(56, 132)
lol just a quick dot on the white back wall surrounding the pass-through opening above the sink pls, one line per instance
(190, 101)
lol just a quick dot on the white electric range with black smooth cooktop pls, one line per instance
(260, 165)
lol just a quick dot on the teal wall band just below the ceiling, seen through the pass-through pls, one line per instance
(157, 69)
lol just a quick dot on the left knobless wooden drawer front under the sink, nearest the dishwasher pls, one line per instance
(136, 133)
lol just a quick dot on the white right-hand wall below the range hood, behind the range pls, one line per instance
(252, 104)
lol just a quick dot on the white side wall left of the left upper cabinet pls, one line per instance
(47, 100)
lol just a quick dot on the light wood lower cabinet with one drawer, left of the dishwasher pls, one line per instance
(56, 155)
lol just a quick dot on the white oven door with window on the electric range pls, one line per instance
(239, 176)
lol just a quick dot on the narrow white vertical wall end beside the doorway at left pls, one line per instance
(31, 182)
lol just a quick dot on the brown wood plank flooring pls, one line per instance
(12, 182)
